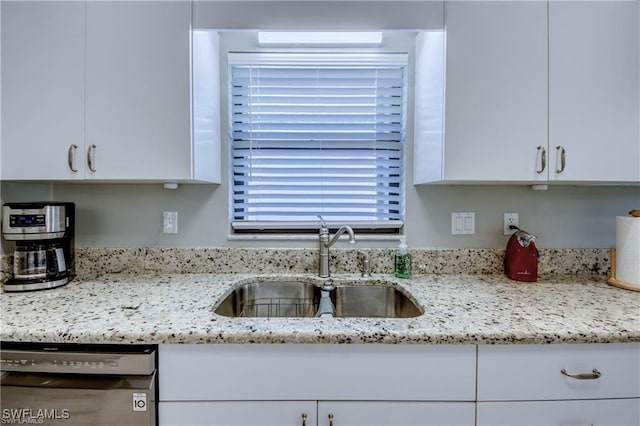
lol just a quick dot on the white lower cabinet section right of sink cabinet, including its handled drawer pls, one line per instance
(595, 384)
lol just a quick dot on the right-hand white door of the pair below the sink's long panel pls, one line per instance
(333, 413)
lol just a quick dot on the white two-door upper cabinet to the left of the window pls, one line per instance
(101, 91)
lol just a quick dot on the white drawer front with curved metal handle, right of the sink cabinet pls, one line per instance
(533, 372)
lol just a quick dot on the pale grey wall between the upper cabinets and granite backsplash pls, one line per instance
(130, 215)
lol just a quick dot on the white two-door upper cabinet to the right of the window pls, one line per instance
(534, 92)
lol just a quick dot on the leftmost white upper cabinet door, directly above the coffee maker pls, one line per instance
(42, 89)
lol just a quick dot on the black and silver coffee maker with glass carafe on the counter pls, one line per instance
(44, 235)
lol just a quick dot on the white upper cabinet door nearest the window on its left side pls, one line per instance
(138, 85)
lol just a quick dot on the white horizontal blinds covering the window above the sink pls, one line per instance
(317, 134)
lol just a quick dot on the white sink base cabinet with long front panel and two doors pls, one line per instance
(303, 384)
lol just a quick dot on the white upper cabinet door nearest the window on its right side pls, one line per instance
(496, 91)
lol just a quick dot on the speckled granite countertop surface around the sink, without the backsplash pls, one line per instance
(459, 309)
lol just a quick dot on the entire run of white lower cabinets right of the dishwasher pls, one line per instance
(399, 385)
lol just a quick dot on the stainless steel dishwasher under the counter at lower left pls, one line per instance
(67, 384)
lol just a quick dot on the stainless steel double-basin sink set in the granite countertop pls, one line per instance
(301, 299)
